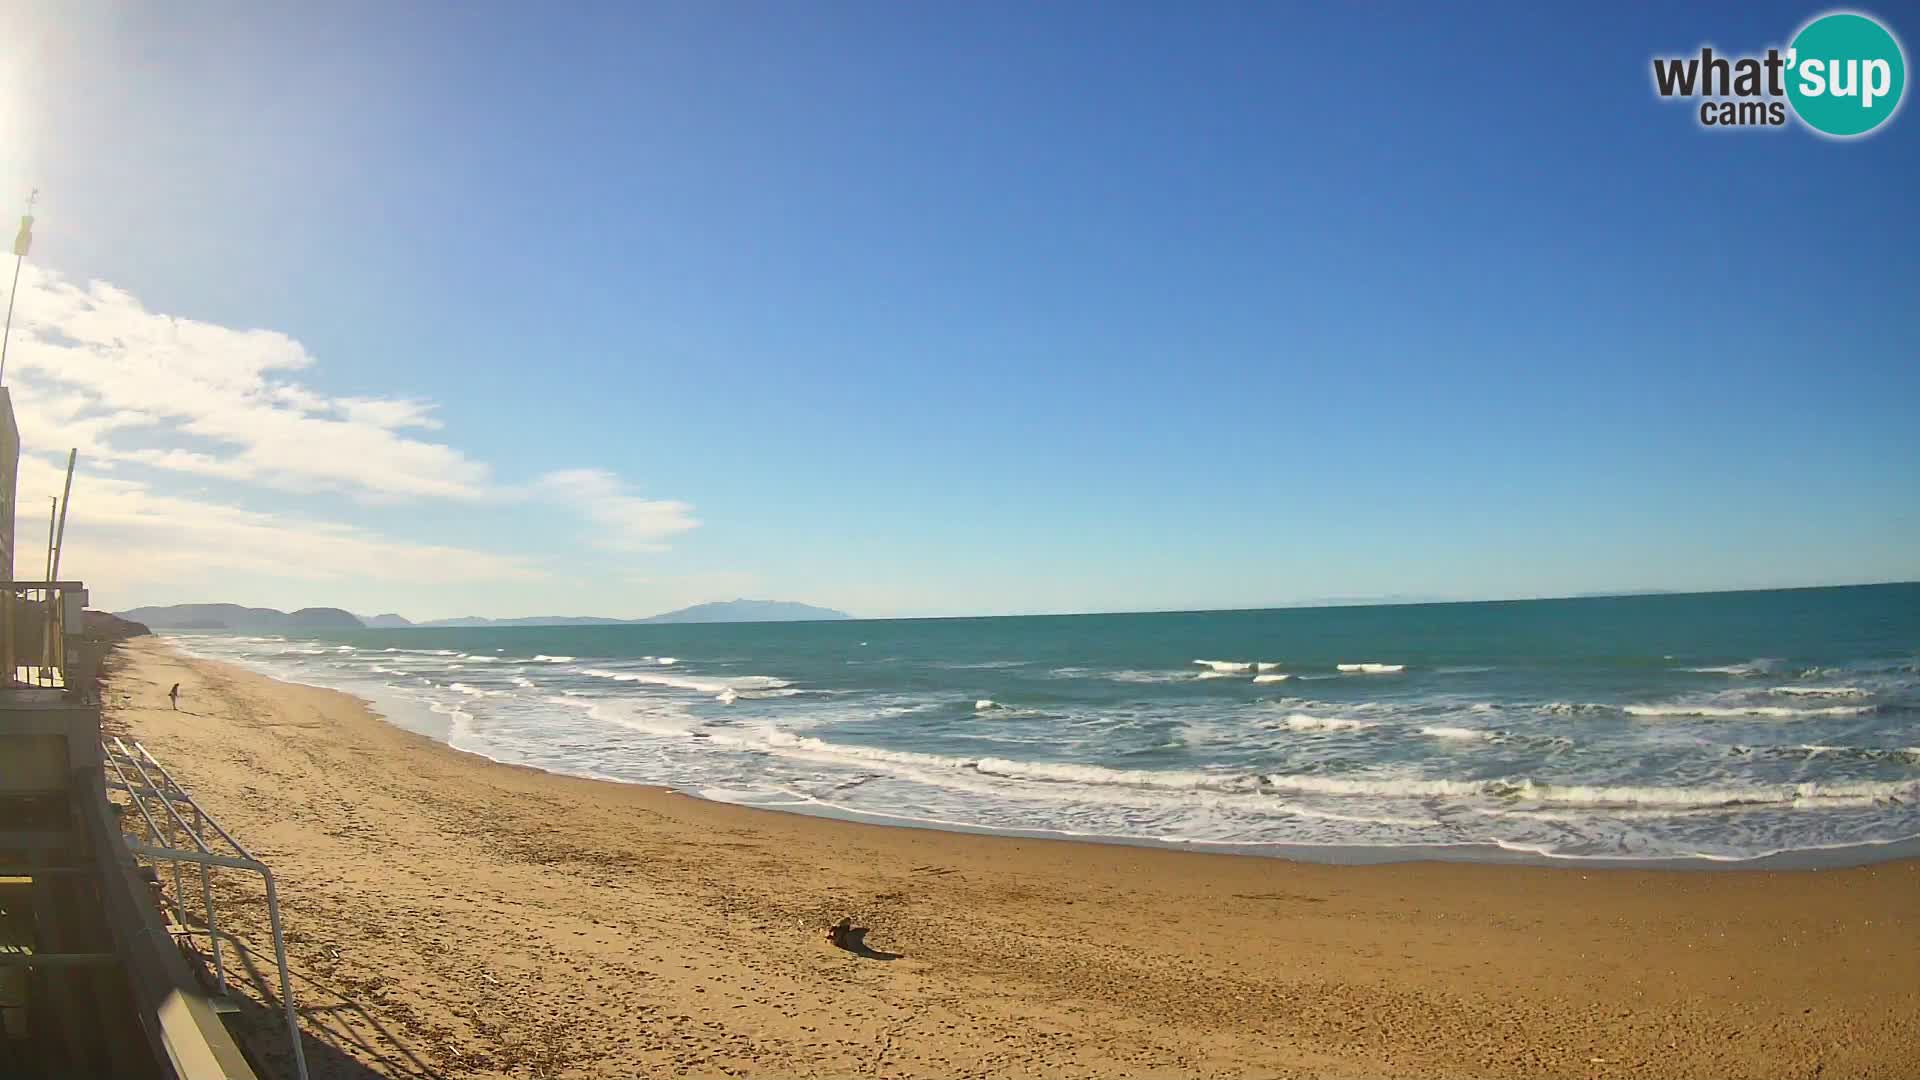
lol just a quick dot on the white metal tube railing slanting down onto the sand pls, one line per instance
(149, 783)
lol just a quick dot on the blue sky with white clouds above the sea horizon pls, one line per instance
(944, 310)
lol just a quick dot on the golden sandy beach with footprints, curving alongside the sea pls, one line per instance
(458, 918)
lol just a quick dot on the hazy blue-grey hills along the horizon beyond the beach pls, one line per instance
(235, 618)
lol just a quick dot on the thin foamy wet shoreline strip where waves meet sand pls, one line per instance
(1295, 852)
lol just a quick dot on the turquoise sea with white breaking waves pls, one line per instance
(1691, 729)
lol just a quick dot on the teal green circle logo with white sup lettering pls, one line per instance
(1846, 74)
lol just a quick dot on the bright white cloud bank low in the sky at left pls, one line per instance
(187, 401)
